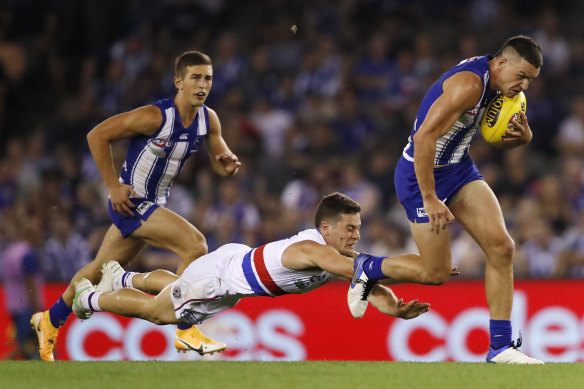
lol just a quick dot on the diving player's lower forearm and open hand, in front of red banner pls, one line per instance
(386, 302)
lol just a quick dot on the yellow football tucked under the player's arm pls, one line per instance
(497, 117)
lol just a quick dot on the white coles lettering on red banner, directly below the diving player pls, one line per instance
(273, 336)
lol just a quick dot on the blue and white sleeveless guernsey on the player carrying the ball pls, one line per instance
(453, 146)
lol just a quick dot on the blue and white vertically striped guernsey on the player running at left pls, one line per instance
(152, 162)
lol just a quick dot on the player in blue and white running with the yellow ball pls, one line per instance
(437, 182)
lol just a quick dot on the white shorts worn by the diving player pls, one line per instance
(200, 293)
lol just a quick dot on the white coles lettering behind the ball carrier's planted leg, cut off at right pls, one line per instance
(552, 334)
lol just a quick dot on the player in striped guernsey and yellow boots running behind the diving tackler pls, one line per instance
(162, 136)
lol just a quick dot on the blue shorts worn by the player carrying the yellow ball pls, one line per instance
(448, 179)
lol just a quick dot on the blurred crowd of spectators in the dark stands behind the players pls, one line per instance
(313, 96)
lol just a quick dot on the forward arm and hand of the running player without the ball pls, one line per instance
(224, 162)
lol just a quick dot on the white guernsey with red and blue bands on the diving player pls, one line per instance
(266, 276)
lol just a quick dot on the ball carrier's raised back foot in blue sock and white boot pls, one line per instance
(366, 272)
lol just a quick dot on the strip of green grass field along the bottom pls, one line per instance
(298, 375)
